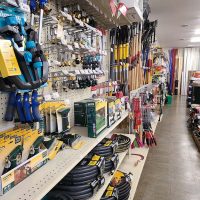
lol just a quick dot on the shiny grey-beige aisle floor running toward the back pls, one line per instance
(172, 169)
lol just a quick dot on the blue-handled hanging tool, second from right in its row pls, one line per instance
(27, 108)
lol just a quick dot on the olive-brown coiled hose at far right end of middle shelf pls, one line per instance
(124, 143)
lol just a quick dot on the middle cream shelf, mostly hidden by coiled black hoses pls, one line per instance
(108, 177)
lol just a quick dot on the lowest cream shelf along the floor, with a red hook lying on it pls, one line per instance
(129, 164)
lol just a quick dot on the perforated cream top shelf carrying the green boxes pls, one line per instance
(44, 179)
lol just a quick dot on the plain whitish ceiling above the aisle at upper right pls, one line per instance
(172, 15)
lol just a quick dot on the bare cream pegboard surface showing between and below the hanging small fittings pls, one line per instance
(73, 95)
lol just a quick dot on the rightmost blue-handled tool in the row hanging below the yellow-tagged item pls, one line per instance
(35, 107)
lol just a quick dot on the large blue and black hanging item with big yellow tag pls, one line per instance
(24, 65)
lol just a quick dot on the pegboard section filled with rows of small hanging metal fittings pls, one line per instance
(66, 45)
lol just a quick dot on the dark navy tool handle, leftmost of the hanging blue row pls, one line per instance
(10, 110)
